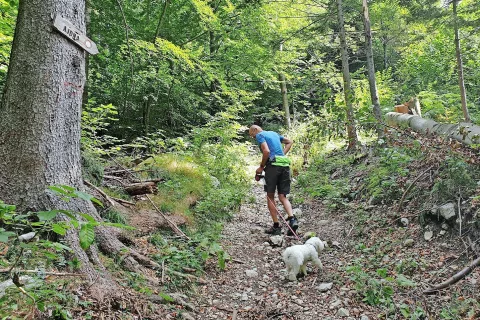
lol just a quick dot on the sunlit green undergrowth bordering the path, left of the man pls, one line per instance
(204, 181)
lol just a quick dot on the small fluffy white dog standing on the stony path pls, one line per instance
(296, 257)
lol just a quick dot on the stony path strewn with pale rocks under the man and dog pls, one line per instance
(254, 285)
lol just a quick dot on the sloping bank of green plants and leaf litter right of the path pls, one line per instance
(366, 187)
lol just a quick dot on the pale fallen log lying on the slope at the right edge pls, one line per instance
(463, 132)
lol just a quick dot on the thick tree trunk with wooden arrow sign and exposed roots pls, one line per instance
(40, 122)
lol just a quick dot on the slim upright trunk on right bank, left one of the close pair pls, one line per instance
(351, 130)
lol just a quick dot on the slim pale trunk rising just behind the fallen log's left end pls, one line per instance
(371, 70)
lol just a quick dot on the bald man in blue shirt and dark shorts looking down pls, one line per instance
(277, 174)
